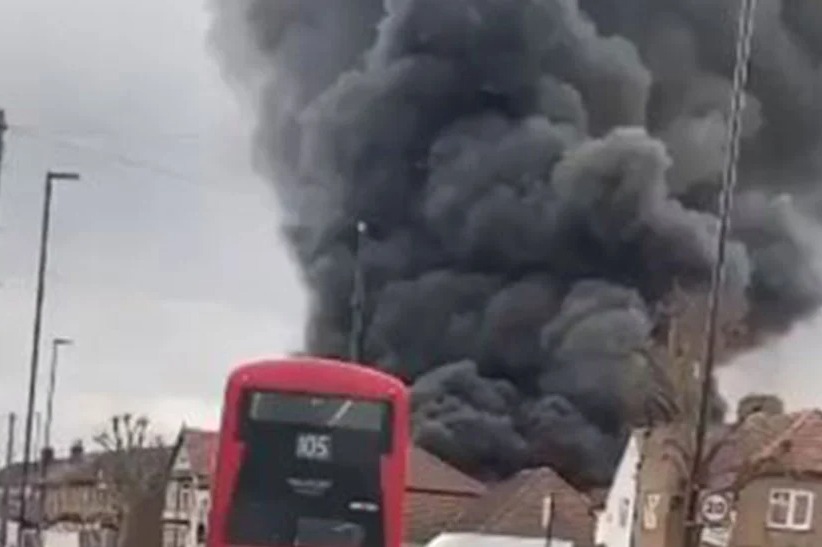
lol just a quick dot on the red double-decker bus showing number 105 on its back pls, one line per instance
(312, 452)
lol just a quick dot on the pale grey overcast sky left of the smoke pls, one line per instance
(166, 267)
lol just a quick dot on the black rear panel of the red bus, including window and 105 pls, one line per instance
(310, 474)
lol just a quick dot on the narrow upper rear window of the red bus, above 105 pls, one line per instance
(318, 410)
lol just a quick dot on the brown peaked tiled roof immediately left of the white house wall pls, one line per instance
(514, 507)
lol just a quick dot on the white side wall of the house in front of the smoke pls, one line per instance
(614, 522)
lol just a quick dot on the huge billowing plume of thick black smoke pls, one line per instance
(535, 175)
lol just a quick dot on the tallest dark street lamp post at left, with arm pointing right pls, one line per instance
(51, 177)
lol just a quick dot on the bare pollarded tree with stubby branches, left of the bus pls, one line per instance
(134, 467)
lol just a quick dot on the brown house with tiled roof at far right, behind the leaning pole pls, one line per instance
(759, 486)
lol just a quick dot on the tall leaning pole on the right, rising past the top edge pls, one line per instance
(691, 528)
